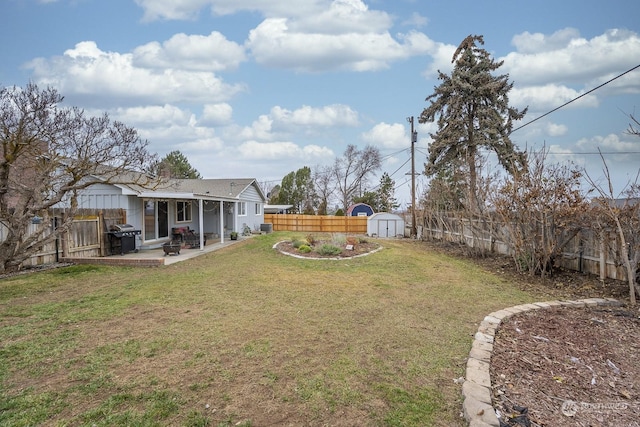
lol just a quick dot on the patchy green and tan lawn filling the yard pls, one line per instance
(245, 336)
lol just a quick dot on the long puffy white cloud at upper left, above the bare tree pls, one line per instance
(88, 71)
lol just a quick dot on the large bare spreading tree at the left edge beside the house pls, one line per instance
(50, 154)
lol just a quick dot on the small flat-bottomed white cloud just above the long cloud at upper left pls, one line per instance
(191, 52)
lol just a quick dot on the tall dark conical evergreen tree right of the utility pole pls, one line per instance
(473, 112)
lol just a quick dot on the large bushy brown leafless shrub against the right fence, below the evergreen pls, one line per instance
(541, 211)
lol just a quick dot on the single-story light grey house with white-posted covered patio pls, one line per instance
(210, 207)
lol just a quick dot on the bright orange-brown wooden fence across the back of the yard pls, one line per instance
(317, 223)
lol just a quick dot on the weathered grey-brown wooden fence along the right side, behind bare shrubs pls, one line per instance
(587, 252)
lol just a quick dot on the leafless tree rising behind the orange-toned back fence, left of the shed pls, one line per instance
(352, 170)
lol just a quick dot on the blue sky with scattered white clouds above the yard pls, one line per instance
(260, 88)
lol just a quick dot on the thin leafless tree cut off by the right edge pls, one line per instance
(621, 214)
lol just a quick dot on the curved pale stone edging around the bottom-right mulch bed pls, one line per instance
(477, 406)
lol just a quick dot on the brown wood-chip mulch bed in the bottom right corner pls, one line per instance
(568, 367)
